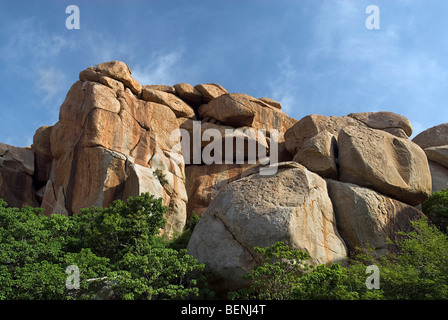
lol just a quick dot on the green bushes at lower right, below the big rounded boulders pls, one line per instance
(418, 271)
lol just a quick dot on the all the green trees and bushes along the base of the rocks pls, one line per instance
(121, 255)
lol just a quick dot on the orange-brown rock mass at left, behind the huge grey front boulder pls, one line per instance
(116, 138)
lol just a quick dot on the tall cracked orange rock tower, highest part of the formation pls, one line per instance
(103, 134)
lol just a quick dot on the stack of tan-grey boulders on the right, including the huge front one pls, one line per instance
(354, 181)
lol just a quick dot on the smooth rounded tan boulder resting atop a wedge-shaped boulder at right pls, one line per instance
(394, 166)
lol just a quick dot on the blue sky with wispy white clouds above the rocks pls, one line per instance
(314, 56)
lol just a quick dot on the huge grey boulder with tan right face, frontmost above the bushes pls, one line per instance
(258, 210)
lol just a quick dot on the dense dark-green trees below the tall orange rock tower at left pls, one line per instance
(117, 250)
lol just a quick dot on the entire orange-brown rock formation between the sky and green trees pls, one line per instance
(336, 183)
